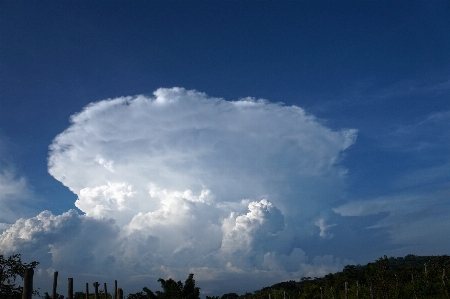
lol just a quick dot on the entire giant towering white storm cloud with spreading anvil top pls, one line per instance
(198, 183)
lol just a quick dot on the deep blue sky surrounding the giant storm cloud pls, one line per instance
(381, 67)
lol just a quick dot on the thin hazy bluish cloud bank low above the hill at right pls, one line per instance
(415, 222)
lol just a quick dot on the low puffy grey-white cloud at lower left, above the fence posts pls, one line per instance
(76, 246)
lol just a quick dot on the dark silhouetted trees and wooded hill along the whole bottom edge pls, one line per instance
(411, 277)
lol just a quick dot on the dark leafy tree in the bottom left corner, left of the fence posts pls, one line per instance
(11, 269)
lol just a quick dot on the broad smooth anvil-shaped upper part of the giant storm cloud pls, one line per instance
(185, 140)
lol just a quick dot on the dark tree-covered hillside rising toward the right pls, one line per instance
(402, 277)
